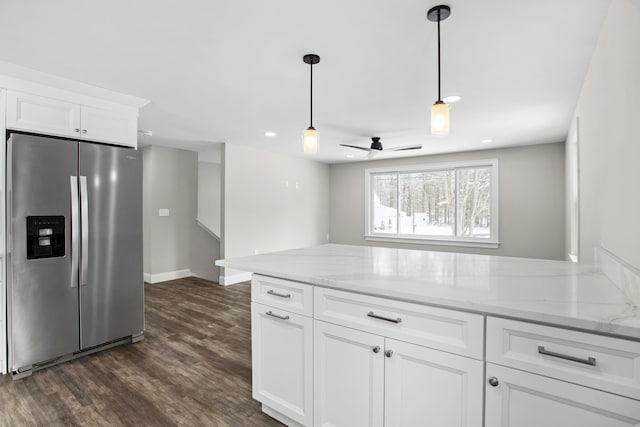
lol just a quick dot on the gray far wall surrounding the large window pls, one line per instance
(531, 211)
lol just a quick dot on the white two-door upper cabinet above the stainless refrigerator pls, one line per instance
(40, 114)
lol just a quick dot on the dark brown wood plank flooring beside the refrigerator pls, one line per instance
(192, 369)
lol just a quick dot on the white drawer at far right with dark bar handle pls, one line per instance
(605, 363)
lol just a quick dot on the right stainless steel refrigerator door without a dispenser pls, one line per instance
(111, 302)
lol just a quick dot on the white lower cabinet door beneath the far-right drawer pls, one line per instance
(522, 399)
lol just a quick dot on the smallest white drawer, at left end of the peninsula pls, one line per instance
(284, 294)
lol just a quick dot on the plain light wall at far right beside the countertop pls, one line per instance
(608, 139)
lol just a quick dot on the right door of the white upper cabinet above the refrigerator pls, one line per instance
(114, 126)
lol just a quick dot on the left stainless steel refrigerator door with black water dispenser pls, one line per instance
(43, 304)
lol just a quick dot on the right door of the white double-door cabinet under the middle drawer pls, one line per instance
(430, 387)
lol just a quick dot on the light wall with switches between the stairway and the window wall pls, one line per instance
(261, 213)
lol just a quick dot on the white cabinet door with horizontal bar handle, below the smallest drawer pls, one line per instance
(282, 346)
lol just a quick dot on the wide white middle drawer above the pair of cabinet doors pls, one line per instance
(442, 329)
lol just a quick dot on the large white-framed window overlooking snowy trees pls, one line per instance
(452, 203)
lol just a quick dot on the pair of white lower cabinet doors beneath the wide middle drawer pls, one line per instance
(364, 379)
